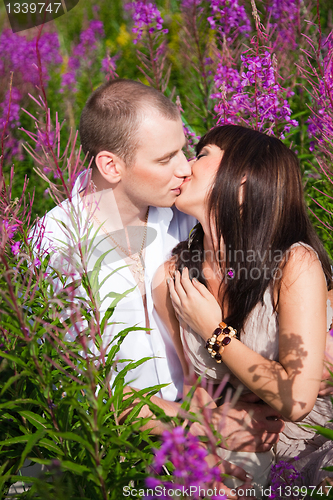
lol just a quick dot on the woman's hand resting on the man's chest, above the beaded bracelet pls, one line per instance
(194, 304)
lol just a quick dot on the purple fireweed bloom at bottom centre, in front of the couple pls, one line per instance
(183, 456)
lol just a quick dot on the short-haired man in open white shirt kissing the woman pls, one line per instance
(134, 137)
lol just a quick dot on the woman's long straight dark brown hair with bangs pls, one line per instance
(257, 234)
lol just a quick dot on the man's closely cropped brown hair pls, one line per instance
(111, 117)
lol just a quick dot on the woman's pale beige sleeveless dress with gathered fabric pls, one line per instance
(307, 451)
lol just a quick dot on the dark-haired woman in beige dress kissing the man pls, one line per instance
(250, 287)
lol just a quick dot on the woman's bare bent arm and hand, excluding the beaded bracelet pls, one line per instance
(290, 385)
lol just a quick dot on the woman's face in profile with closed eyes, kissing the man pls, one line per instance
(194, 190)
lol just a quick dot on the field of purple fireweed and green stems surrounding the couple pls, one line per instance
(266, 64)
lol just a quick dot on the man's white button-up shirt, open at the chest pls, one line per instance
(165, 228)
